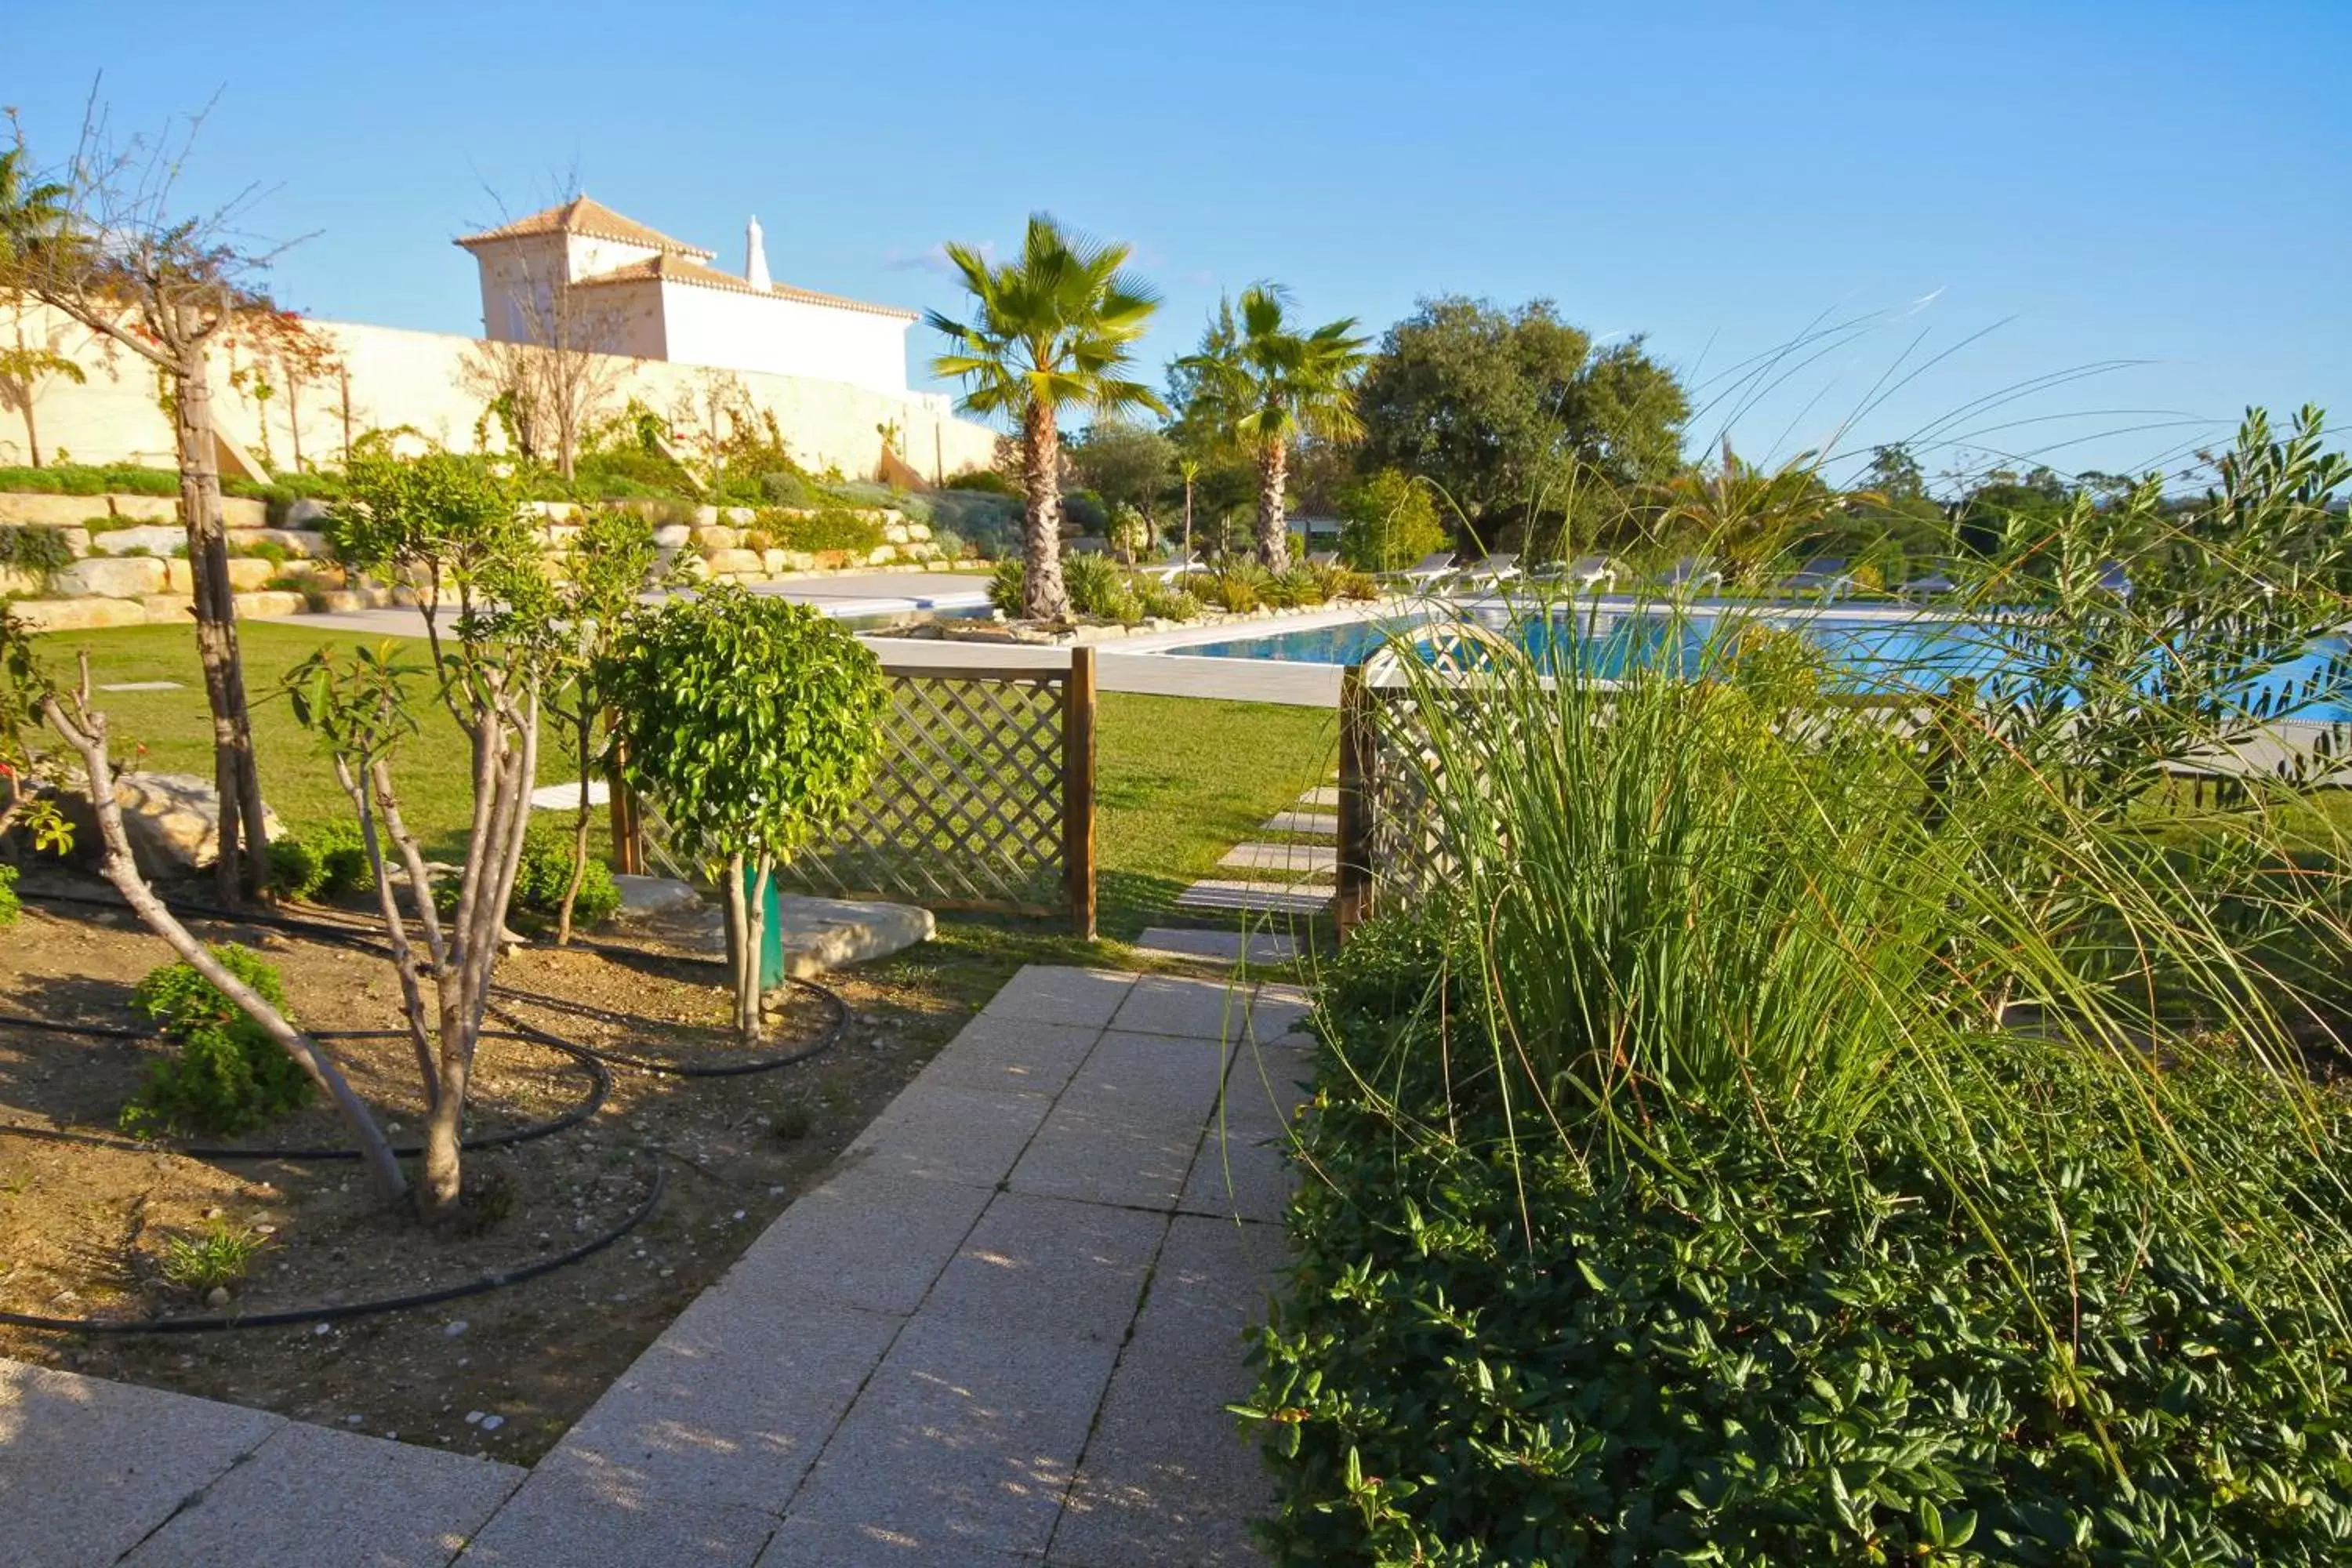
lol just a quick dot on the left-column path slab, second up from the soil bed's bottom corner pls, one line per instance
(864, 1240)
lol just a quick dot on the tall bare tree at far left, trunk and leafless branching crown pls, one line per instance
(114, 253)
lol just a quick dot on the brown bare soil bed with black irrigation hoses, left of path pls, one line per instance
(86, 1226)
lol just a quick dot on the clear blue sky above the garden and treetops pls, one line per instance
(2080, 182)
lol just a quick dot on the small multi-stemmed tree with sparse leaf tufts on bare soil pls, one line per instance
(455, 525)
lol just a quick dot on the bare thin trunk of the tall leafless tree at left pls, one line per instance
(236, 775)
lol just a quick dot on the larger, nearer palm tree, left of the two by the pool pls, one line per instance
(1053, 330)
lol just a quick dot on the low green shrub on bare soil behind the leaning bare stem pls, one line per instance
(227, 1076)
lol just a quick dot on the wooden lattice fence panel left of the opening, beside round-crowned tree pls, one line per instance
(965, 808)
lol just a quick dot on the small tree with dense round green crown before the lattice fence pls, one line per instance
(756, 725)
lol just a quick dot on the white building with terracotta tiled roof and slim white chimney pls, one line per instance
(584, 276)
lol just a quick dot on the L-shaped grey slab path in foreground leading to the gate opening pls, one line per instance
(1003, 1332)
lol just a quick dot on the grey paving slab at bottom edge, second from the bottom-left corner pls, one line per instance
(321, 1499)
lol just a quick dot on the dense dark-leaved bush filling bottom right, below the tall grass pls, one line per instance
(1775, 1348)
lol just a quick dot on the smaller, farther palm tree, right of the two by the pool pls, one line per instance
(1283, 384)
